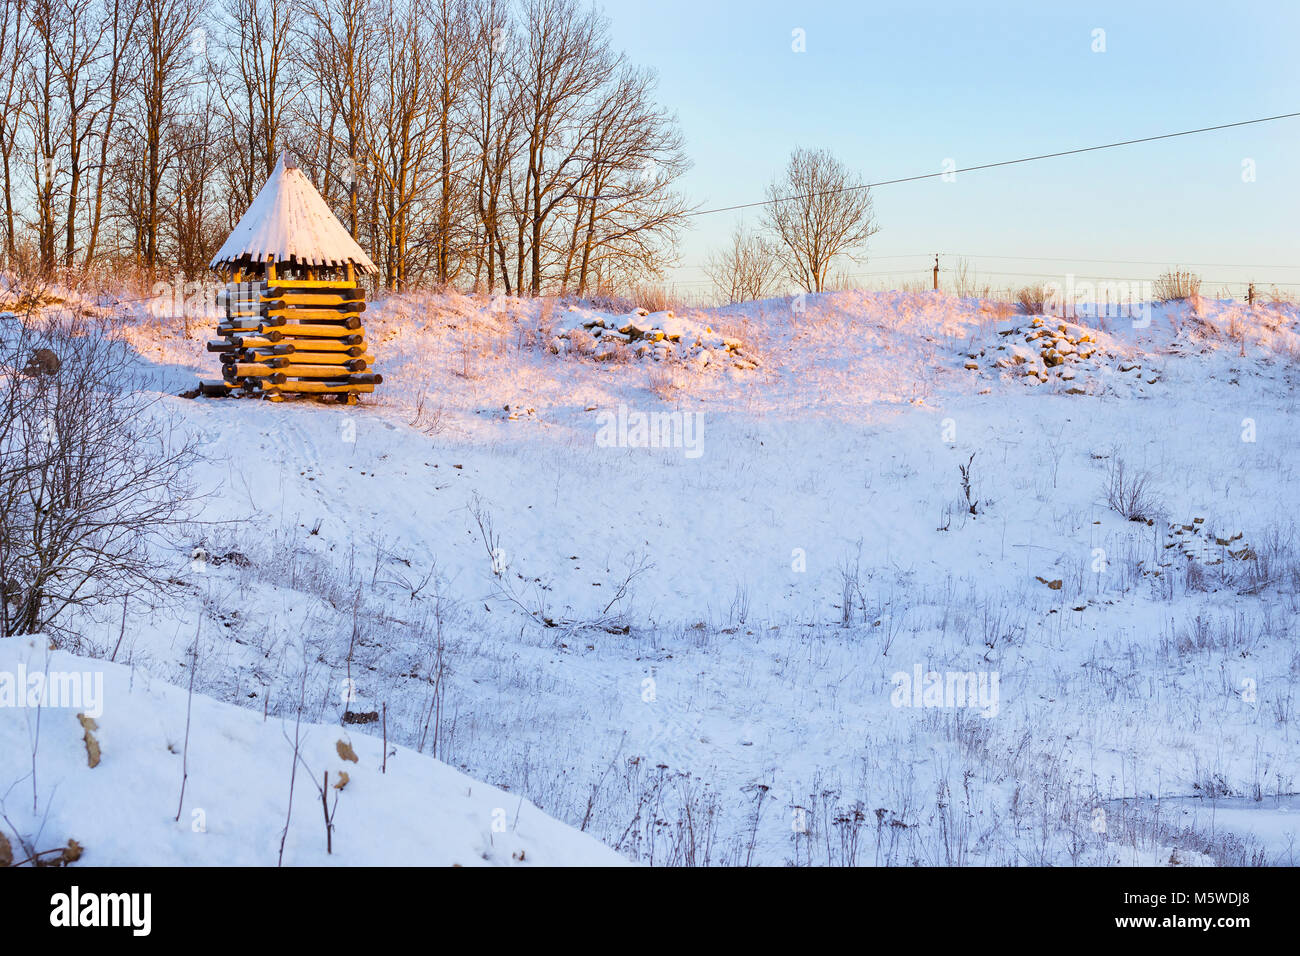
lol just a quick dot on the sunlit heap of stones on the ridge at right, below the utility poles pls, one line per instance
(1043, 351)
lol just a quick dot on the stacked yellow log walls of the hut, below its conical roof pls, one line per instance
(285, 338)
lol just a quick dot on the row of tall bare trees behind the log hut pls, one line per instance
(499, 145)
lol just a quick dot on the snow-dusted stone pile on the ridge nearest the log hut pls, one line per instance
(644, 335)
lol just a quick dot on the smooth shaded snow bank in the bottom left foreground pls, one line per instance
(415, 812)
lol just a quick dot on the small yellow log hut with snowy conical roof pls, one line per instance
(291, 310)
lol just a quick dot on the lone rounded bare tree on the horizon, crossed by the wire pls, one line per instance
(820, 211)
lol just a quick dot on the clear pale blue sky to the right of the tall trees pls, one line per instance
(896, 89)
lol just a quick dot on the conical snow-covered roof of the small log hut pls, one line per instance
(291, 222)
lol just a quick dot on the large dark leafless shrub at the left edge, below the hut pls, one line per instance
(93, 478)
